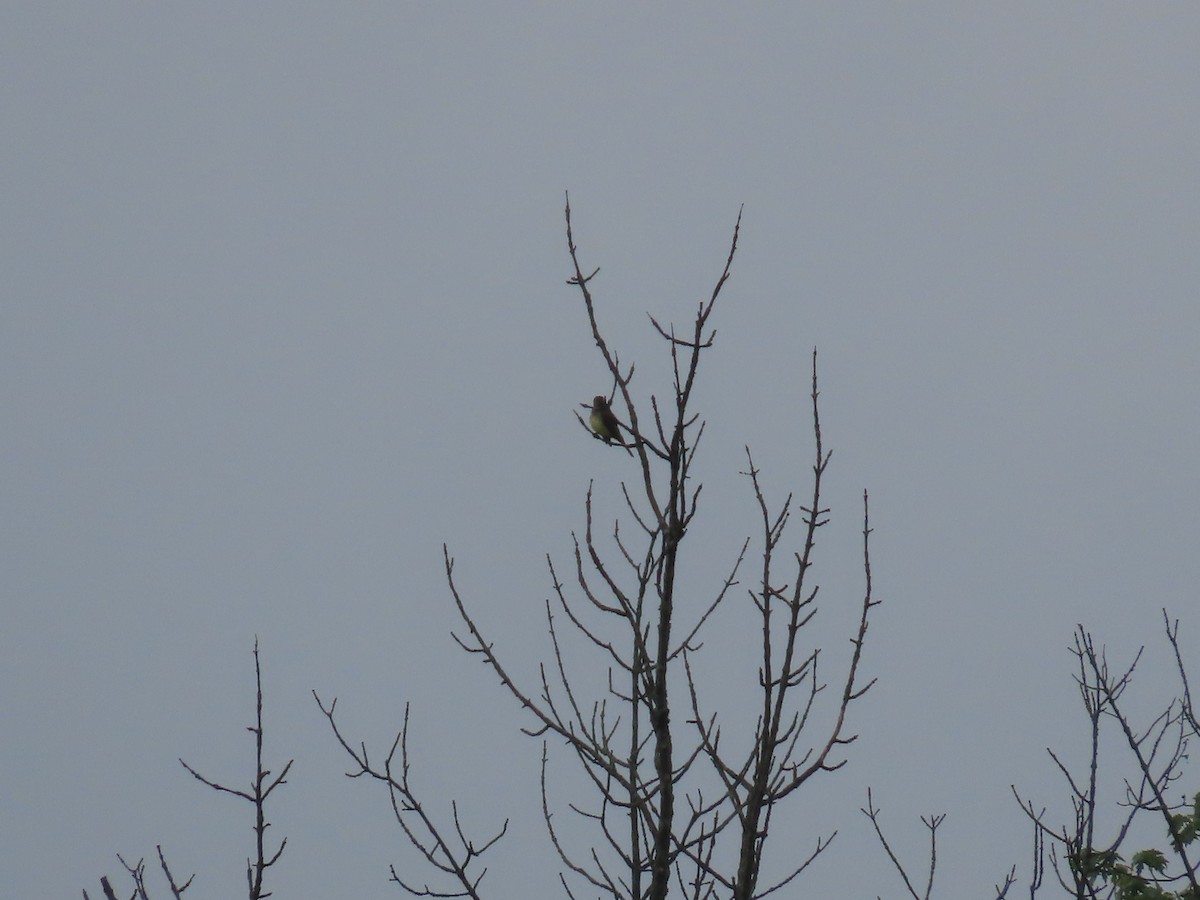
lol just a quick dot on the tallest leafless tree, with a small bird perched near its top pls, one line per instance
(675, 807)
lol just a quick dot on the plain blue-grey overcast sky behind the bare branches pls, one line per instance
(284, 309)
